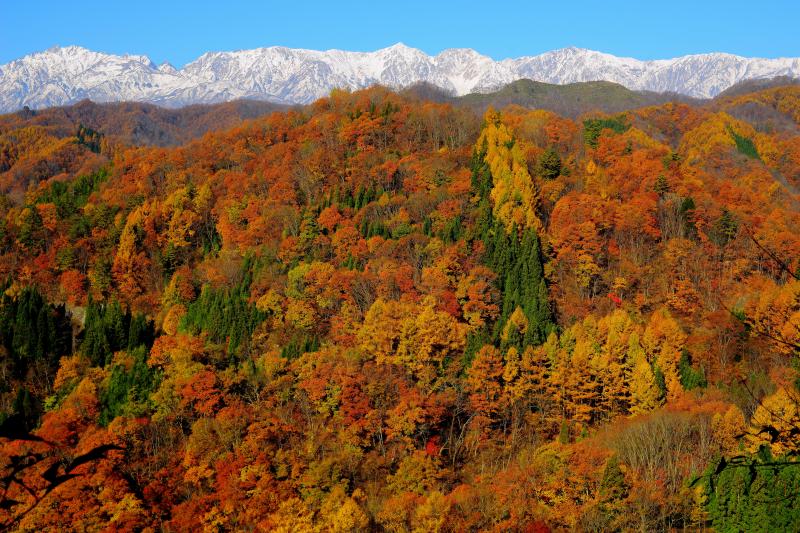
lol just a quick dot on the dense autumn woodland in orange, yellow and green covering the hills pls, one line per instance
(378, 313)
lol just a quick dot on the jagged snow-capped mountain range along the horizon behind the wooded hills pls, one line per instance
(63, 75)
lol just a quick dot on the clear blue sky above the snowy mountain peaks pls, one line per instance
(179, 31)
